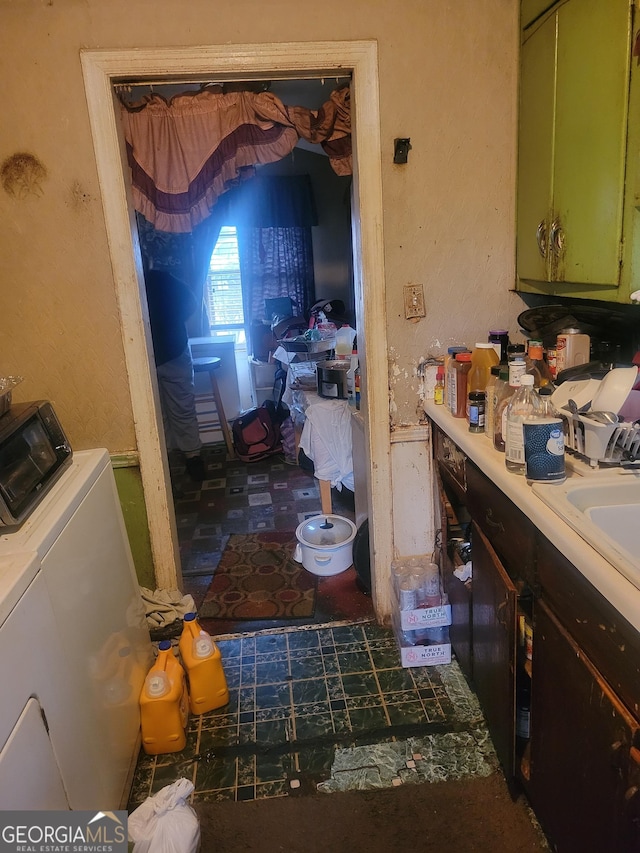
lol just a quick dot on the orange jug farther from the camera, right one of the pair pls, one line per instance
(203, 663)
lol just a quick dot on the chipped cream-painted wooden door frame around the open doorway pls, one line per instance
(225, 63)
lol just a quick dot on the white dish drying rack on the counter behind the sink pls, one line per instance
(611, 444)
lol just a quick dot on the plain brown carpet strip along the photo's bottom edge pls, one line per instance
(466, 816)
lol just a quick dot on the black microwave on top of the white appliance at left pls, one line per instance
(34, 452)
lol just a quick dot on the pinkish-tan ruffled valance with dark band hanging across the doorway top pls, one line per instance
(185, 153)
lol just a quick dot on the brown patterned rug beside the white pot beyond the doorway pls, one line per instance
(257, 578)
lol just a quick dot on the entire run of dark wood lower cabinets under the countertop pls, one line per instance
(566, 724)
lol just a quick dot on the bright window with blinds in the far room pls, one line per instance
(224, 288)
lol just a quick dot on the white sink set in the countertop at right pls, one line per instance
(605, 512)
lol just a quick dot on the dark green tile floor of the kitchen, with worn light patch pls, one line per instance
(324, 708)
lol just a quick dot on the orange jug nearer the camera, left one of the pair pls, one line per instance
(164, 704)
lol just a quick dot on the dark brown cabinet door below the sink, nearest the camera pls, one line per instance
(584, 749)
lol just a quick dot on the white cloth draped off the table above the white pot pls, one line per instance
(326, 440)
